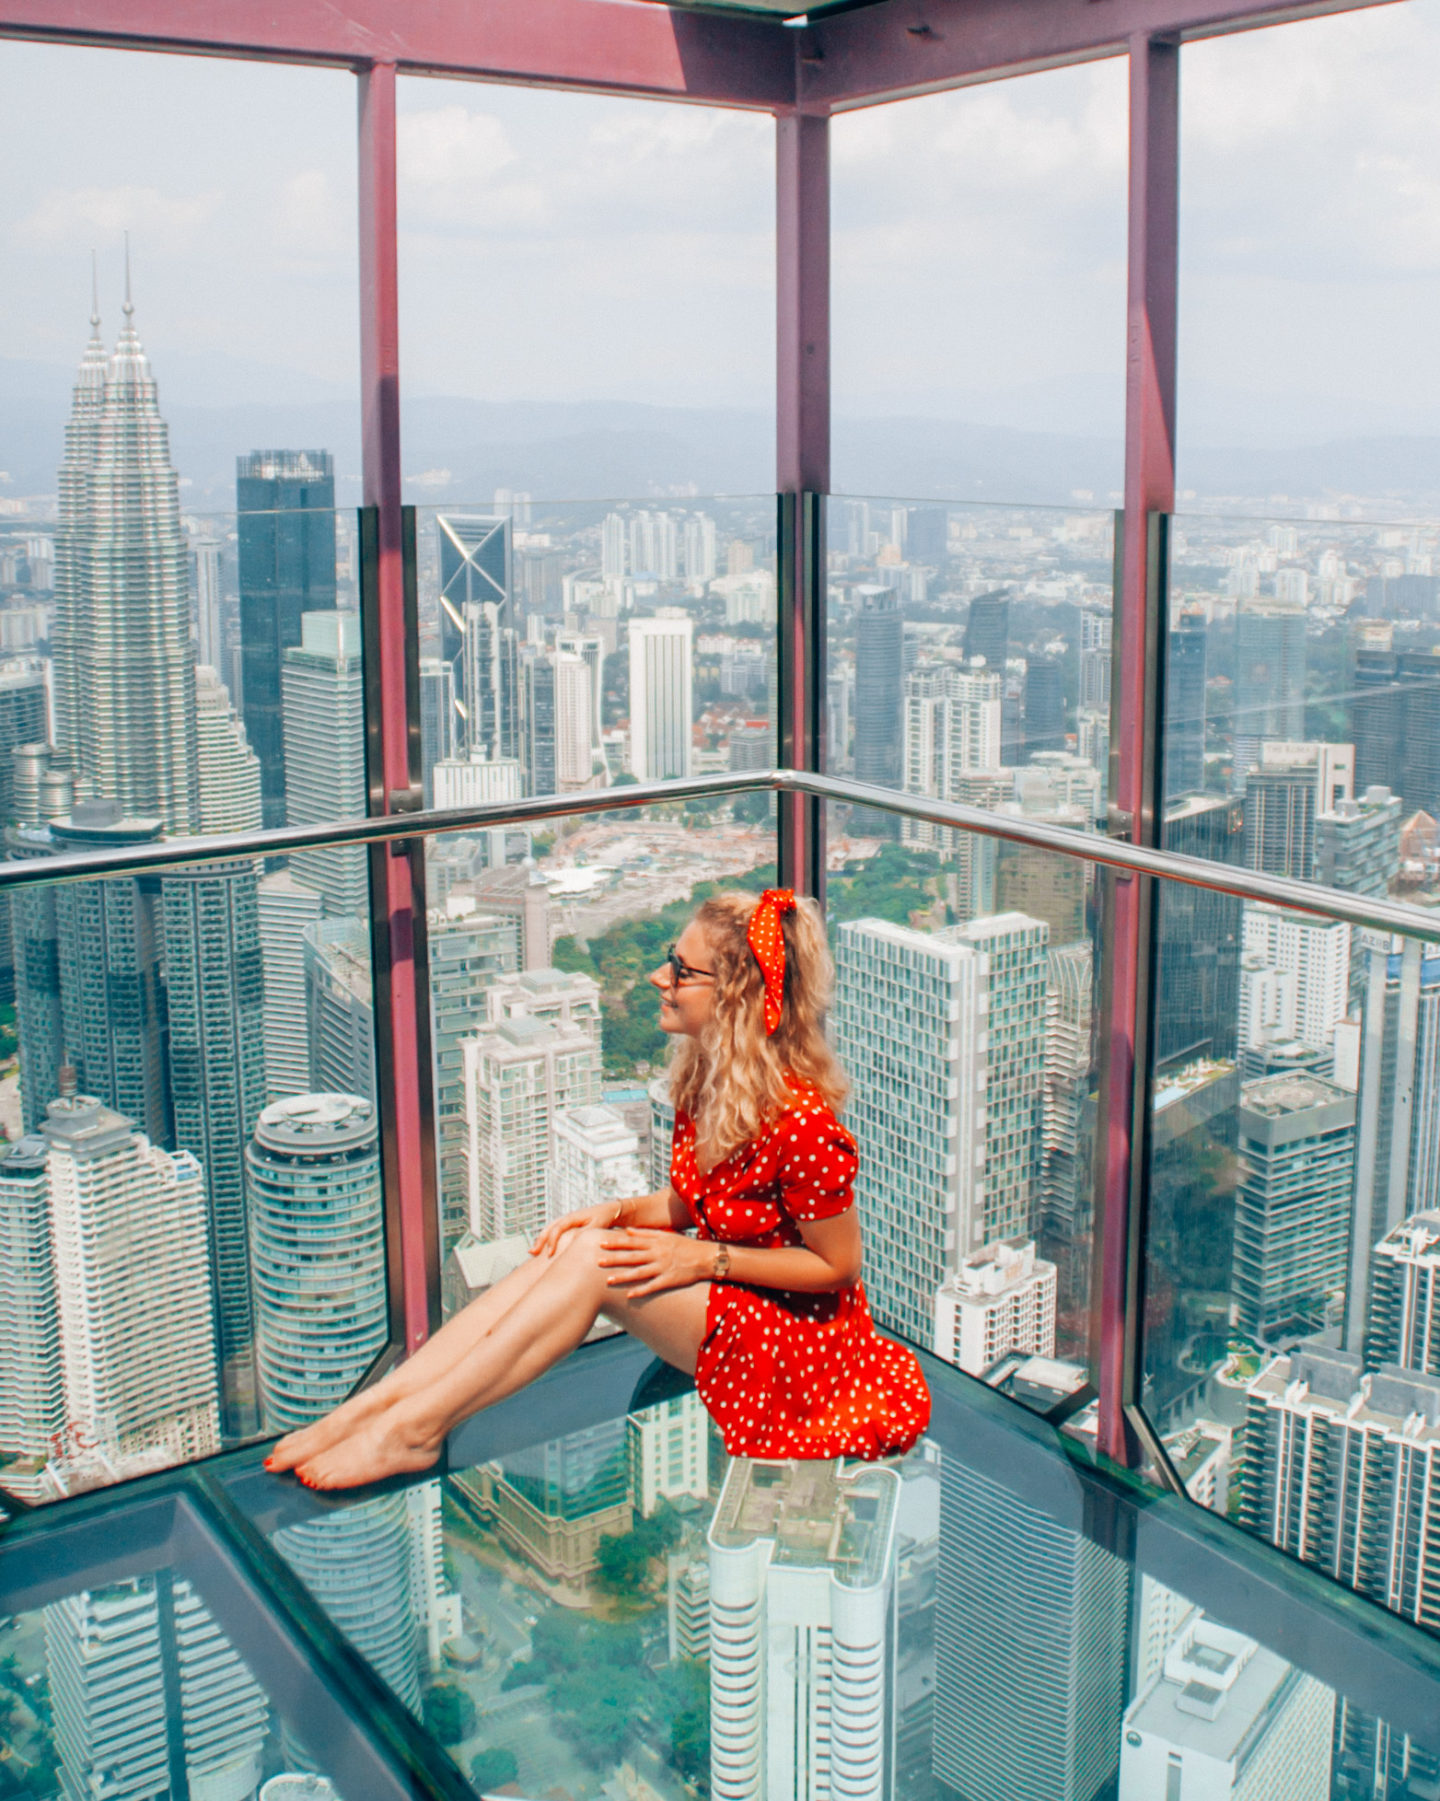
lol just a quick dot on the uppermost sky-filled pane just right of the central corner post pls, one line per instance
(980, 291)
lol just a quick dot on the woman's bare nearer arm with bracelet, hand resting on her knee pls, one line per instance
(647, 1262)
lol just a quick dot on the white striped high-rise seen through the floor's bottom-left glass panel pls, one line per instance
(150, 1697)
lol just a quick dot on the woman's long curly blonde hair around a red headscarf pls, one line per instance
(733, 1080)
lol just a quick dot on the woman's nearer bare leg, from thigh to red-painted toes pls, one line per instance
(539, 1330)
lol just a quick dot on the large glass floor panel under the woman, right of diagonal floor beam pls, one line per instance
(625, 1598)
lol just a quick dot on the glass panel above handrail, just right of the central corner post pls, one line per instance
(969, 655)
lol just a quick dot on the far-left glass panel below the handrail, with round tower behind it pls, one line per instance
(190, 1202)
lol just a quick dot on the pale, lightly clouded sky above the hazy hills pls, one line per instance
(571, 248)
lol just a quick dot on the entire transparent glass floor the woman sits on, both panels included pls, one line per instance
(595, 1604)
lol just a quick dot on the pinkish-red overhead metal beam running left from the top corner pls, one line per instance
(598, 46)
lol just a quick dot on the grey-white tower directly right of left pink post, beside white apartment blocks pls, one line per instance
(471, 952)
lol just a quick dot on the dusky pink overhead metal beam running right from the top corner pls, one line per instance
(883, 53)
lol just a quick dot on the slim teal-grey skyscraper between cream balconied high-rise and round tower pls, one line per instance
(217, 1071)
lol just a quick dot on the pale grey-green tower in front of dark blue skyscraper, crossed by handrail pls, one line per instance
(325, 752)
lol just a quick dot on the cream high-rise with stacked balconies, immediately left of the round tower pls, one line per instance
(134, 1289)
